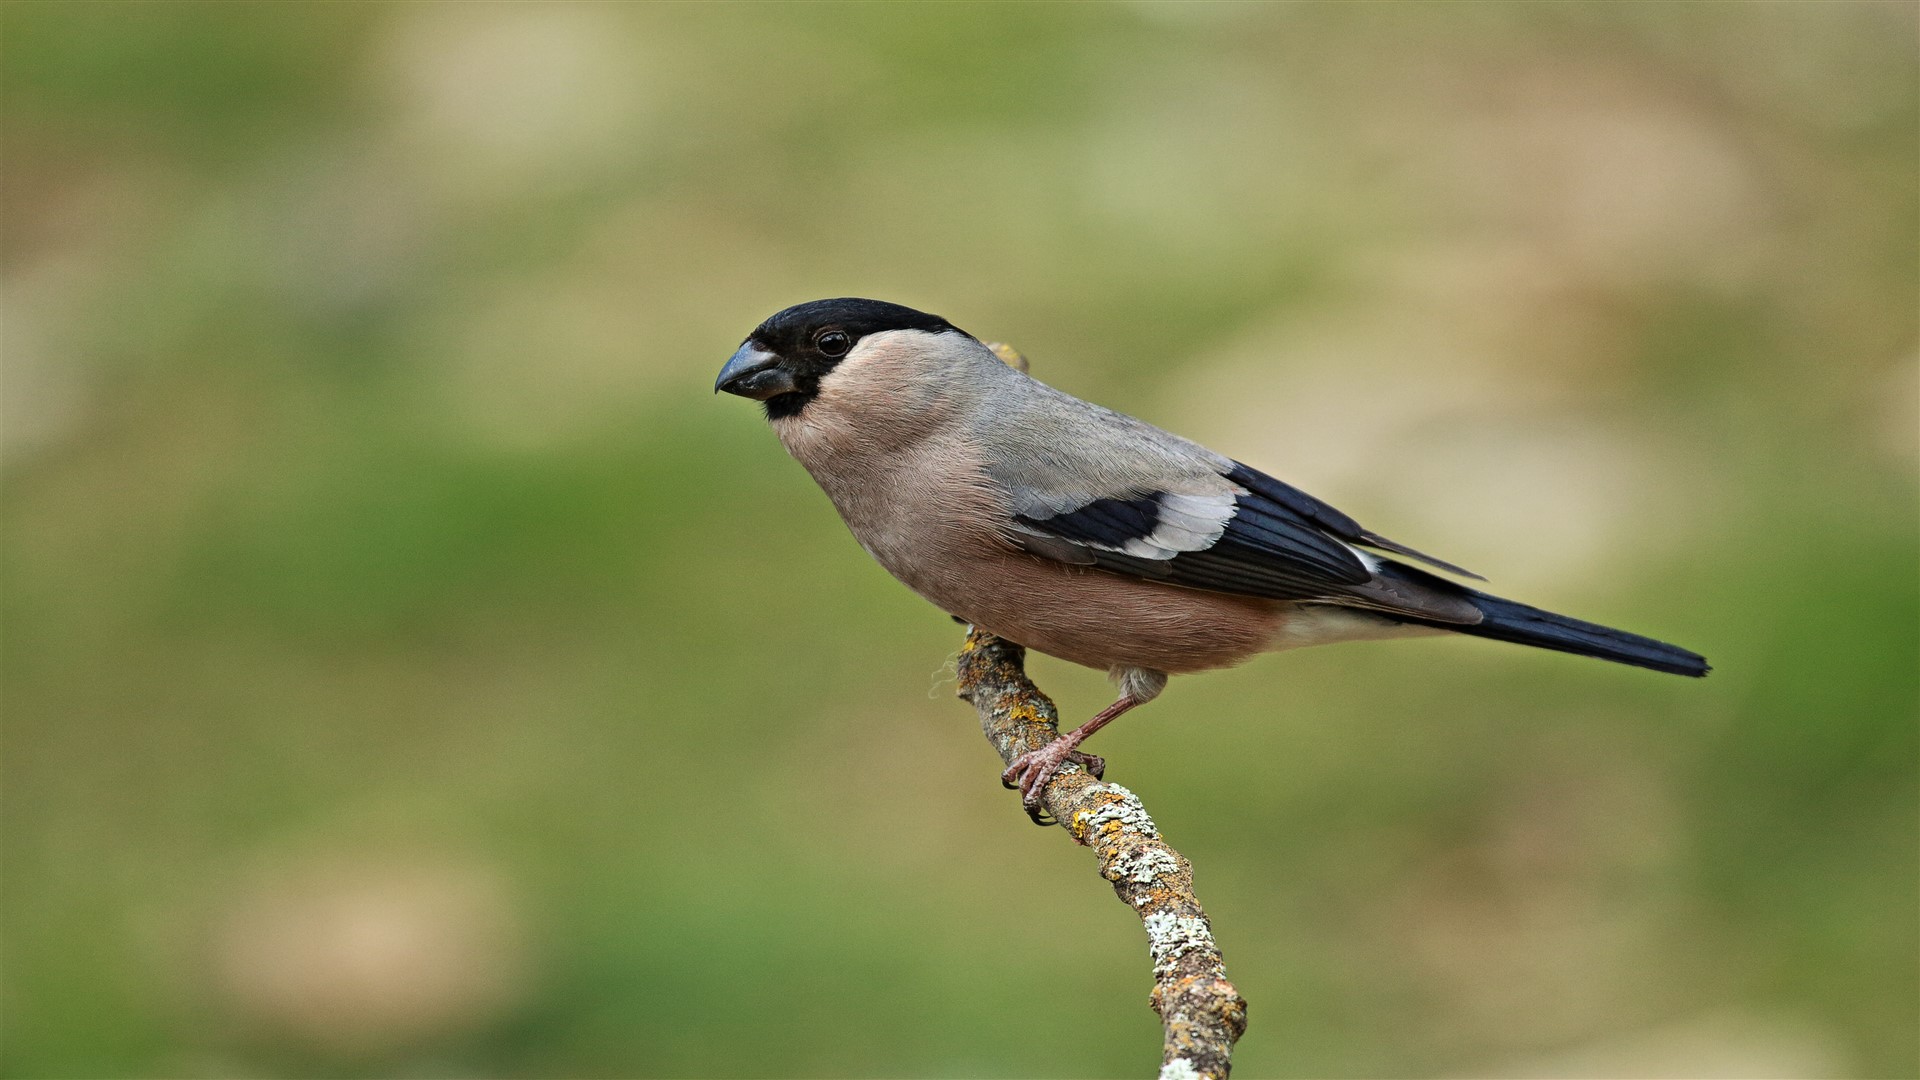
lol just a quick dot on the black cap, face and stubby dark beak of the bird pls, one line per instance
(786, 358)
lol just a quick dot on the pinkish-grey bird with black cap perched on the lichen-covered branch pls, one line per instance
(1090, 535)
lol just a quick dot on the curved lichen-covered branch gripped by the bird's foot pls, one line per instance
(1203, 1012)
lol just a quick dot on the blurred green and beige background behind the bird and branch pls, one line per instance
(412, 670)
